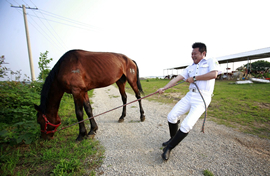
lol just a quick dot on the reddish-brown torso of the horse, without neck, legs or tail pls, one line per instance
(88, 70)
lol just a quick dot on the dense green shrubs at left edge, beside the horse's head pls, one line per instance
(17, 113)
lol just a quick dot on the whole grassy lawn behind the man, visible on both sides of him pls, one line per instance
(244, 107)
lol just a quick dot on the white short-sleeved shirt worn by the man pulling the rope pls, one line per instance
(204, 66)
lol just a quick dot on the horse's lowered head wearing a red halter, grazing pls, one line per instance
(48, 124)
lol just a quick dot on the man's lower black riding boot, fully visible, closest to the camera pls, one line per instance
(174, 142)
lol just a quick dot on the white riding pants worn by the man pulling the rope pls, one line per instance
(193, 103)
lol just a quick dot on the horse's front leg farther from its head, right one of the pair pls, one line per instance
(88, 110)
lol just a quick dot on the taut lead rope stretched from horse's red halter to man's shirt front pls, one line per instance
(119, 106)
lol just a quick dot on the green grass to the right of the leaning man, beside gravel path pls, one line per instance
(245, 107)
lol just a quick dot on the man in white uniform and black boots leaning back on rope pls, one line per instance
(202, 72)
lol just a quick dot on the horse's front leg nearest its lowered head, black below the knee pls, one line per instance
(79, 114)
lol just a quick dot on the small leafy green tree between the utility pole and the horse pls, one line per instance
(43, 65)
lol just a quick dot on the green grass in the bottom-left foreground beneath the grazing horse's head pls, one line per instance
(60, 156)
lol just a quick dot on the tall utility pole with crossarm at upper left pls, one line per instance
(28, 40)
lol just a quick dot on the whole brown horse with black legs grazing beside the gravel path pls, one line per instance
(78, 71)
